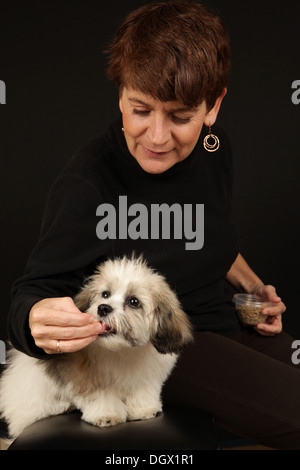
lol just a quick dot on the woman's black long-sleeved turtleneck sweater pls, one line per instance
(73, 241)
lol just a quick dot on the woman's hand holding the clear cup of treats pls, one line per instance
(273, 324)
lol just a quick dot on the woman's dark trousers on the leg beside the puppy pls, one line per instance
(248, 382)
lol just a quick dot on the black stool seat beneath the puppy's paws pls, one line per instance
(175, 428)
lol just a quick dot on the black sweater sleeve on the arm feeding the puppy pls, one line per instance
(67, 245)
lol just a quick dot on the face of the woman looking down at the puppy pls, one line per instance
(160, 134)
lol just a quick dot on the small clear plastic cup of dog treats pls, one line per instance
(248, 308)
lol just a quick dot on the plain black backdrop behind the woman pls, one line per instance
(58, 97)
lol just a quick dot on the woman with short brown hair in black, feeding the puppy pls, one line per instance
(170, 62)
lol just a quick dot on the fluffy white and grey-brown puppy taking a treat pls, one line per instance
(118, 377)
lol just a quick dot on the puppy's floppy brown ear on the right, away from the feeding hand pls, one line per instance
(171, 326)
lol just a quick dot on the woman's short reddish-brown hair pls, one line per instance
(172, 51)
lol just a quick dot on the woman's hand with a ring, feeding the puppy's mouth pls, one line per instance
(57, 325)
